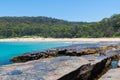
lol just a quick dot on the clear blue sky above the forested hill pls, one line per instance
(70, 10)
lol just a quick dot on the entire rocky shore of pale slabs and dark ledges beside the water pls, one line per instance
(66, 63)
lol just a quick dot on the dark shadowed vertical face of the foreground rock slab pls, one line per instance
(90, 72)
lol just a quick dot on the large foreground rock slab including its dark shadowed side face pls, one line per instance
(58, 68)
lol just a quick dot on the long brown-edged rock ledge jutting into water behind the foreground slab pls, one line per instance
(67, 51)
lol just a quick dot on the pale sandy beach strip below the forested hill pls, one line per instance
(60, 40)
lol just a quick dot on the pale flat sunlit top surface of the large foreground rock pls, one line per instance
(44, 69)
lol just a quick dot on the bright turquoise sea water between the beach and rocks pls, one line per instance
(11, 49)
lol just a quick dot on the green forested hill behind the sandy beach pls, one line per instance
(51, 27)
